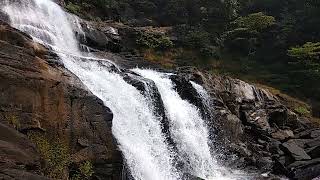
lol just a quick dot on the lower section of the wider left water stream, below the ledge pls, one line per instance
(134, 124)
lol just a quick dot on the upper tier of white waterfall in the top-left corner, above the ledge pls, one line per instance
(45, 21)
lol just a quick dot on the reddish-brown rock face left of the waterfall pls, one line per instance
(38, 95)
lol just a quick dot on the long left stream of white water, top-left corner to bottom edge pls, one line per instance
(135, 127)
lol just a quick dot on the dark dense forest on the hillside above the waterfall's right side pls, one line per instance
(273, 42)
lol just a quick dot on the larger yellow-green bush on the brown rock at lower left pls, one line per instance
(54, 152)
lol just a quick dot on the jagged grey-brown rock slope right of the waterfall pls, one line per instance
(253, 124)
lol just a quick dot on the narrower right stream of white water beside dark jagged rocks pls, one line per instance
(187, 128)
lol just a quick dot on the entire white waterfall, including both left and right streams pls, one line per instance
(136, 127)
